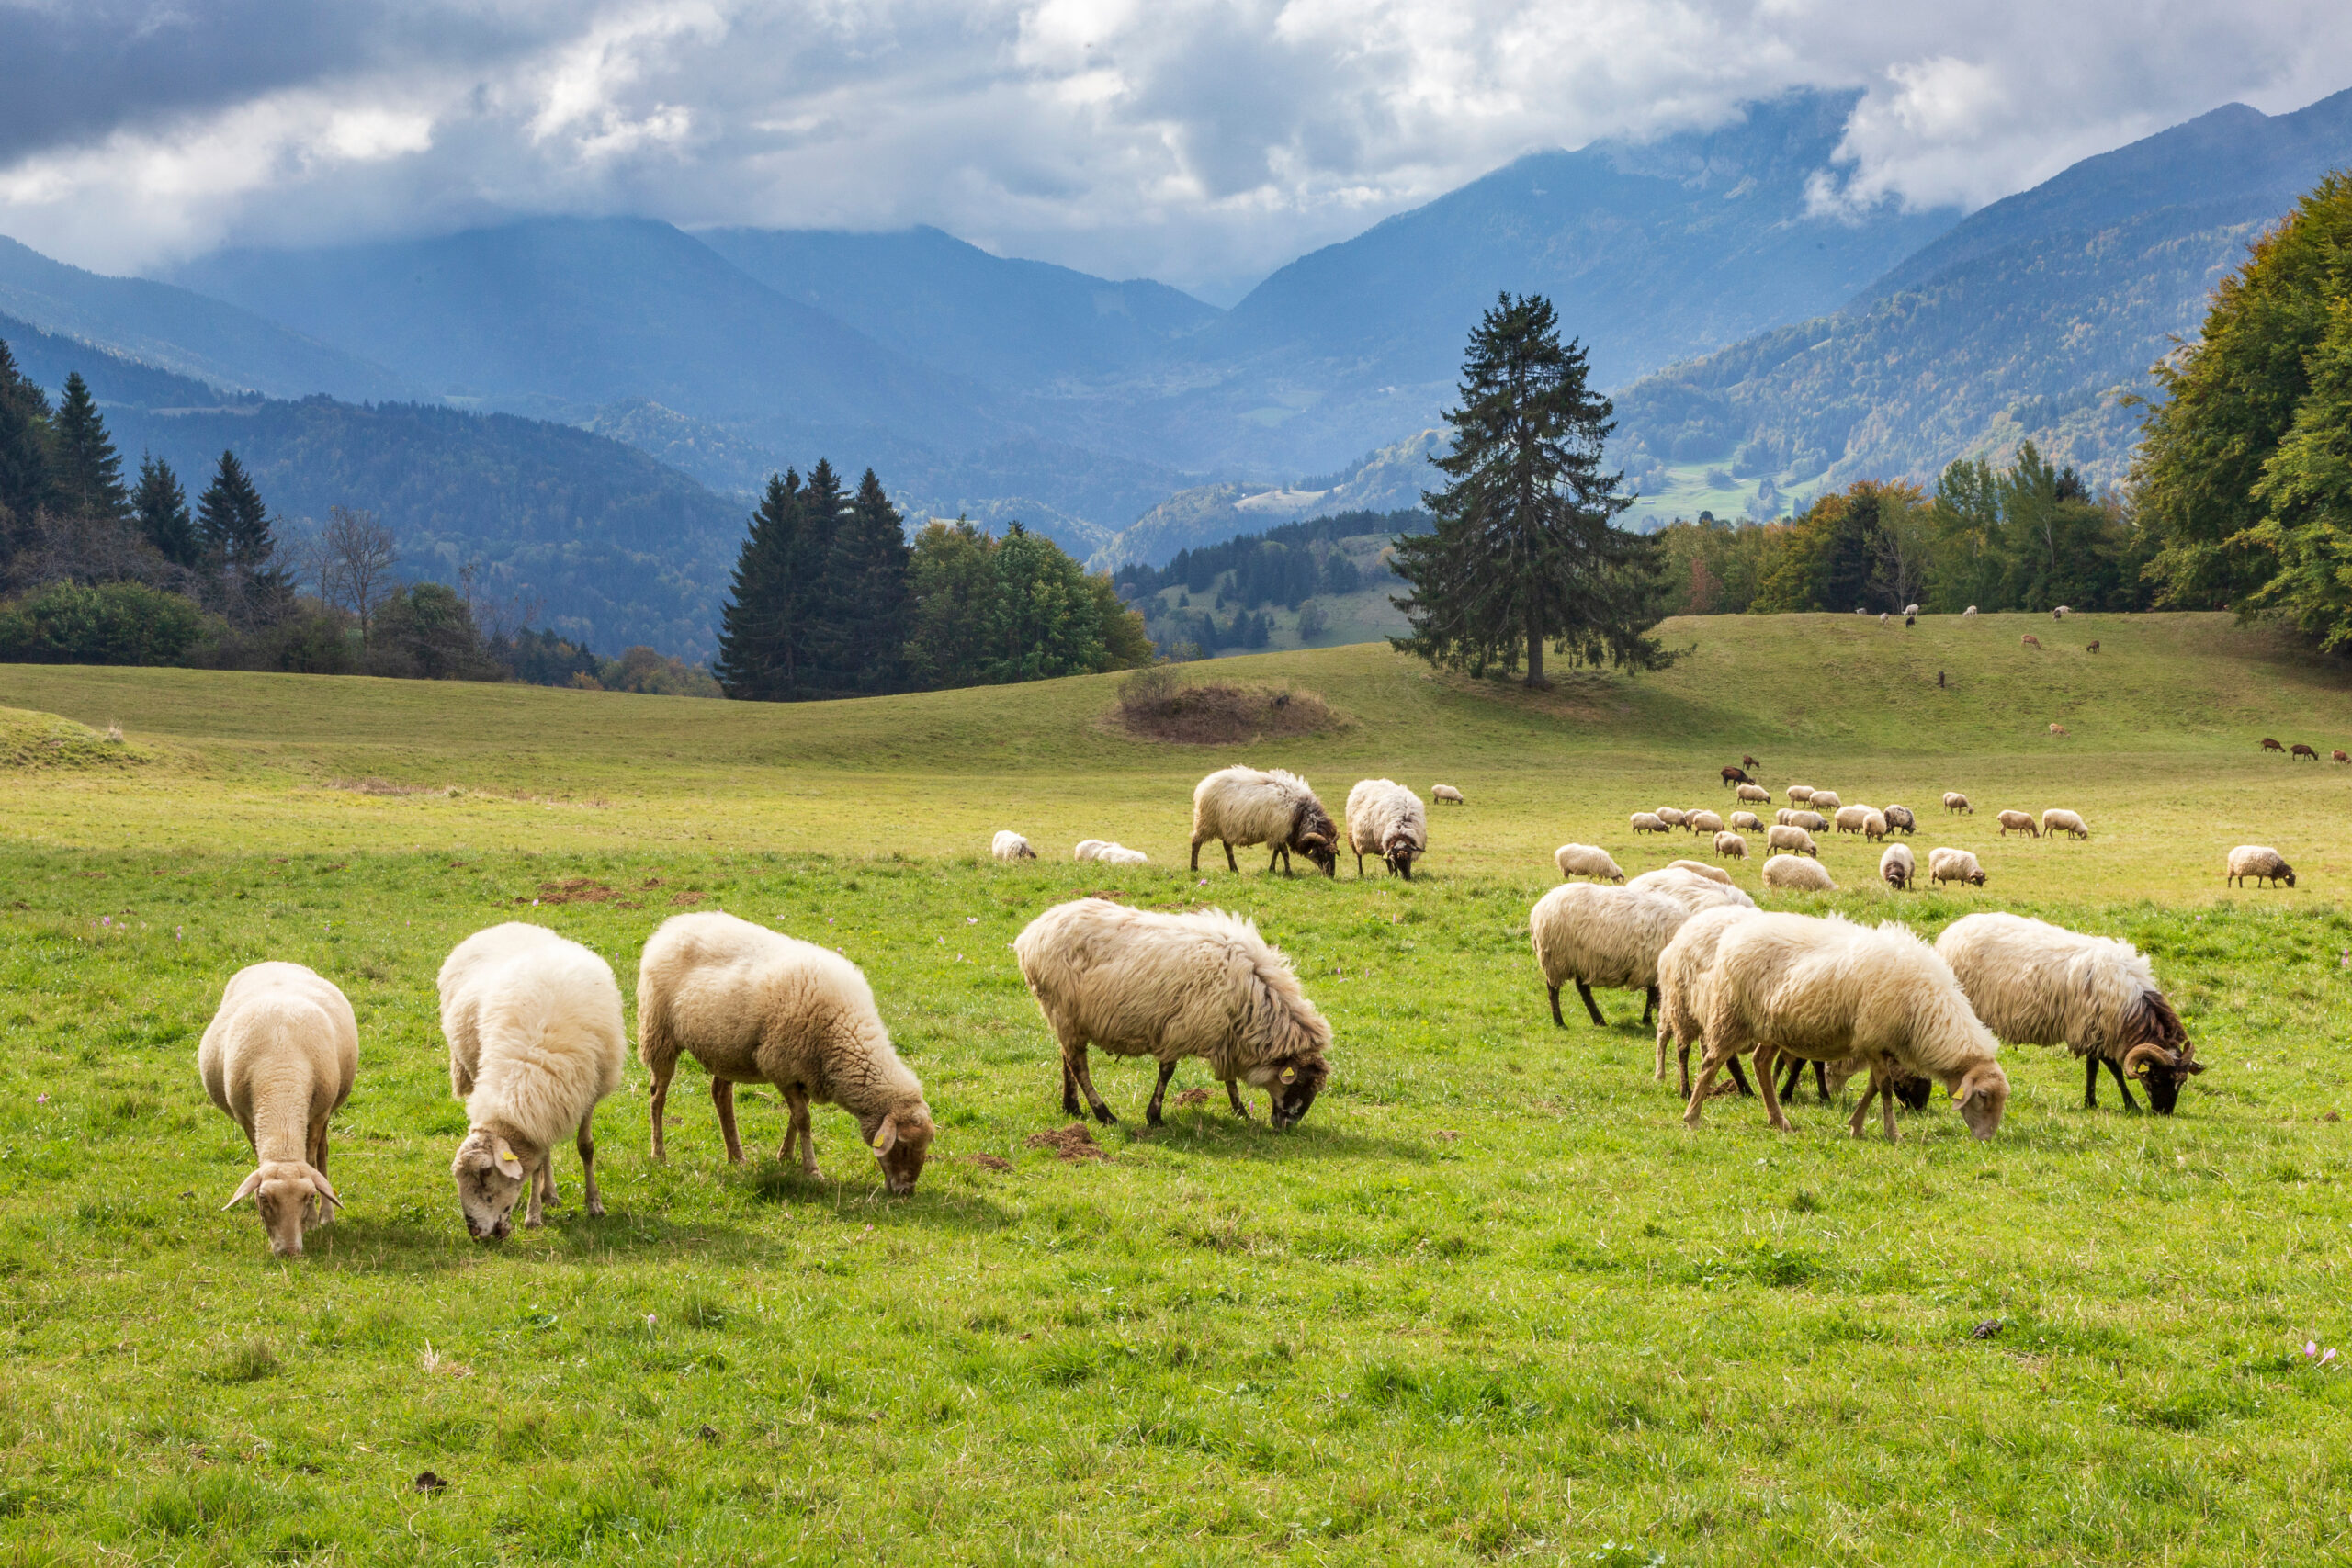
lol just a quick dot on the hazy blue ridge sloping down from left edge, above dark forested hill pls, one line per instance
(182, 333)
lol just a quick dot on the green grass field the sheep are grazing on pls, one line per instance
(1488, 1304)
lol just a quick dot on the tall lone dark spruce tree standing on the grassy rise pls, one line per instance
(1525, 551)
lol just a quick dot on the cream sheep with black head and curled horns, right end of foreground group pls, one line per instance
(2045, 986)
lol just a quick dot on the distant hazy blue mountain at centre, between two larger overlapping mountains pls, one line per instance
(933, 297)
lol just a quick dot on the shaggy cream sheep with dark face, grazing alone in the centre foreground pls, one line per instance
(1175, 986)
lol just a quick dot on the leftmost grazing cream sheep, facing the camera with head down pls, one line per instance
(279, 1061)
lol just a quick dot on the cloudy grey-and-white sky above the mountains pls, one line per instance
(1201, 142)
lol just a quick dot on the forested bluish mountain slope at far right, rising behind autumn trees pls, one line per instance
(2024, 323)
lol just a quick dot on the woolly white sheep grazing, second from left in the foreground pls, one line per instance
(535, 1043)
